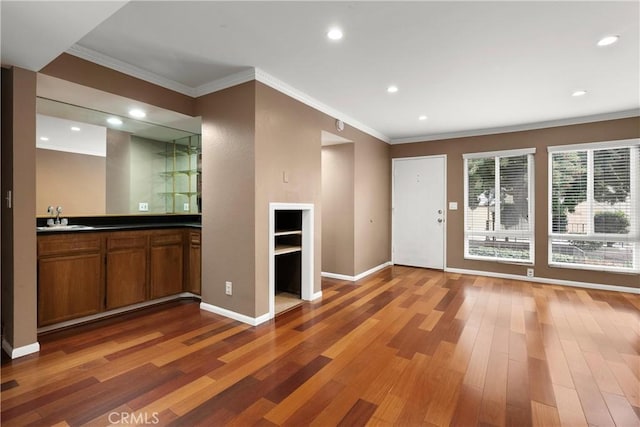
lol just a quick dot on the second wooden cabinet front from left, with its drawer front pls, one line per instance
(126, 274)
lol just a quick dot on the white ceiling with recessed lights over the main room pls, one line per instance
(471, 67)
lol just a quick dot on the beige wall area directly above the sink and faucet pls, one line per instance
(71, 180)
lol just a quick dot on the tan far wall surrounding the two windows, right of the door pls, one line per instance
(540, 139)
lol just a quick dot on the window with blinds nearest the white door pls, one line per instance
(498, 210)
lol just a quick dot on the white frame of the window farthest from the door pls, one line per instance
(590, 235)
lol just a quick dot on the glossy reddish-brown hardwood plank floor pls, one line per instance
(402, 347)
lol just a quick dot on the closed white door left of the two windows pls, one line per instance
(419, 211)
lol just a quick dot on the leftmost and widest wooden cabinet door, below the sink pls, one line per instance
(69, 287)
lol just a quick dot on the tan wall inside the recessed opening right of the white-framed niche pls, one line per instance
(338, 209)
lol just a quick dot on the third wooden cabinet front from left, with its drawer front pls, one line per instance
(167, 258)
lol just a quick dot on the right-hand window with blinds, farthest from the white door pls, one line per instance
(593, 206)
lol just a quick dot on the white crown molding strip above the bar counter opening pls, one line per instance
(131, 70)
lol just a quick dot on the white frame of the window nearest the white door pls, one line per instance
(501, 234)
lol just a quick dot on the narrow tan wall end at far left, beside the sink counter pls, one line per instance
(19, 314)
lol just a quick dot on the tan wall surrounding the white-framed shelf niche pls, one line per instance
(287, 139)
